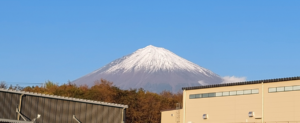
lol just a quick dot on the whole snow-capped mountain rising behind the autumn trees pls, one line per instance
(154, 69)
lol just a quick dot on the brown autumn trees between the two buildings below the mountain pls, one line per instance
(144, 106)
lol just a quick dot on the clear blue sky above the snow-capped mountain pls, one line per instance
(64, 40)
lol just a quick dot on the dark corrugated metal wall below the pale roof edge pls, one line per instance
(56, 110)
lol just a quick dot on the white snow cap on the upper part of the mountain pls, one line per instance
(153, 59)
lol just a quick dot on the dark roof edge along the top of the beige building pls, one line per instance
(243, 83)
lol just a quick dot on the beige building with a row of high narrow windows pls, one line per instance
(261, 101)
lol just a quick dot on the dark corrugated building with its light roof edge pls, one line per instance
(40, 108)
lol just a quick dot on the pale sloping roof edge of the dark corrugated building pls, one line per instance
(64, 98)
